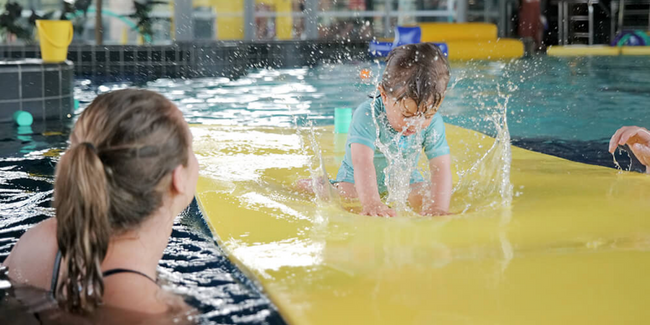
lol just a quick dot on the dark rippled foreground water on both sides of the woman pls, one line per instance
(192, 265)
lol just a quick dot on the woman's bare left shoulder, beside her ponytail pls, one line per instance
(31, 259)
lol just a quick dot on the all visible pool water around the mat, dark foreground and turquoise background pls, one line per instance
(565, 107)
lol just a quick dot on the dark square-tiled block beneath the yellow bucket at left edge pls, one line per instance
(44, 90)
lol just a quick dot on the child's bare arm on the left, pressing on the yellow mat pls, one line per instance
(365, 180)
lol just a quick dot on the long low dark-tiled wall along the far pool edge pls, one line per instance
(197, 59)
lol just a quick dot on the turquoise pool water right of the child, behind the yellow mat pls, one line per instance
(570, 99)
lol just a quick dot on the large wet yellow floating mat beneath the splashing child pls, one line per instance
(572, 248)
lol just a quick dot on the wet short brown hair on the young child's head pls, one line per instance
(419, 72)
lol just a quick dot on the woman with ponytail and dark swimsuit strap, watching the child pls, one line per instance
(129, 171)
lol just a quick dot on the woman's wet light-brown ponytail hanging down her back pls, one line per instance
(82, 204)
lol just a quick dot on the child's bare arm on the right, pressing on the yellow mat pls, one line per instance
(441, 187)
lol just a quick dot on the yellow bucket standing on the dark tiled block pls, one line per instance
(55, 36)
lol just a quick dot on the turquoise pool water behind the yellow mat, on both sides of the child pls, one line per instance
(581, 99)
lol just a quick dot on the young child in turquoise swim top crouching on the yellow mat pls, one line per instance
(412, 89)
